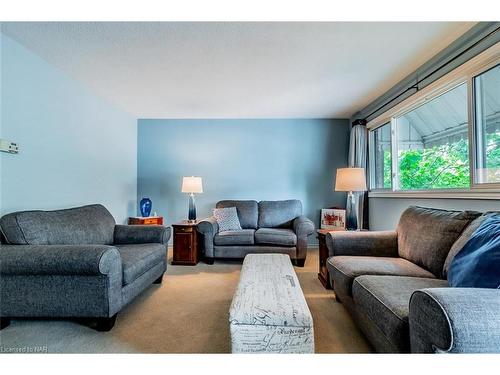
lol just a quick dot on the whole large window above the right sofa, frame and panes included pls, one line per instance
(444, 140)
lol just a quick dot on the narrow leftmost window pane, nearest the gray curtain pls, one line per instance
(381, 175)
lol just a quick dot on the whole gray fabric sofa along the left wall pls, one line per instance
(76, 263)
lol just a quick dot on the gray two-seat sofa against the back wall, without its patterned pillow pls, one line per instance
(267, 227)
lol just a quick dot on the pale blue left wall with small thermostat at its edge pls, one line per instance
(76, 148)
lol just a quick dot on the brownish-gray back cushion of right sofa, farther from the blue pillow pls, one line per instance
(425, 235)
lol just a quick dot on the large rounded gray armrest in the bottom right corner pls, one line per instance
(455, 320)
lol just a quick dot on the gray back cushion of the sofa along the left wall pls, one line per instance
(91, 224)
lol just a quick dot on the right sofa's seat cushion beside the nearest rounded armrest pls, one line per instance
(385, 301)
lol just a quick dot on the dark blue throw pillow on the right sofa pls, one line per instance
(477, 265)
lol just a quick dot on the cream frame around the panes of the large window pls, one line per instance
(462, 74)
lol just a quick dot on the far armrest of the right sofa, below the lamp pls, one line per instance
(363, 243)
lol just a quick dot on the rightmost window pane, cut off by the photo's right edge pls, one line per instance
(487, 126)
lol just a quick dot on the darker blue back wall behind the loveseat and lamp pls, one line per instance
(241, 159)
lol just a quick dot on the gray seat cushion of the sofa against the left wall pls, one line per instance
(138, 259)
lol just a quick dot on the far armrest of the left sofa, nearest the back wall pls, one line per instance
(137, 234)
